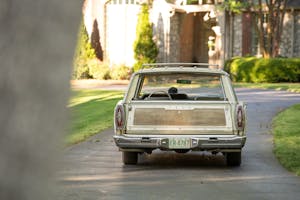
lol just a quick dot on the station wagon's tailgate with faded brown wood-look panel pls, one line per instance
(179, 117)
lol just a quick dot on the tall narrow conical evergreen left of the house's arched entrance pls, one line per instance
(145, 49)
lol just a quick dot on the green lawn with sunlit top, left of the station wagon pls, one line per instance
(91, 112)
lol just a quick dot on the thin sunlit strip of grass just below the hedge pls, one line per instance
(291, 87)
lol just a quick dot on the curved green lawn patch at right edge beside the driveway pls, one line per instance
(286, 129)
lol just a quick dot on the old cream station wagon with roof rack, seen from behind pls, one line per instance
(180, 107)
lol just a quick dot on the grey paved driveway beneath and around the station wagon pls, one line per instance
(93, 169)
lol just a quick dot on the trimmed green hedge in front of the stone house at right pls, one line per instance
(262, 70)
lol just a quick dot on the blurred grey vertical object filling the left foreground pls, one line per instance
(37, 41)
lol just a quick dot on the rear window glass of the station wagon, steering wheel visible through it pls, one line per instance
(180, 86)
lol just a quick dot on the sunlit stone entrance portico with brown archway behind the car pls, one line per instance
(189, 33)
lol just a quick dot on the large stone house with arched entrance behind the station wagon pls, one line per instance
(185, 30)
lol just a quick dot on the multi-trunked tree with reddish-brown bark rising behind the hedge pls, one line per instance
(268, 15)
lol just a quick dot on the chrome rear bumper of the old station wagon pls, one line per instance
(220, 143)
